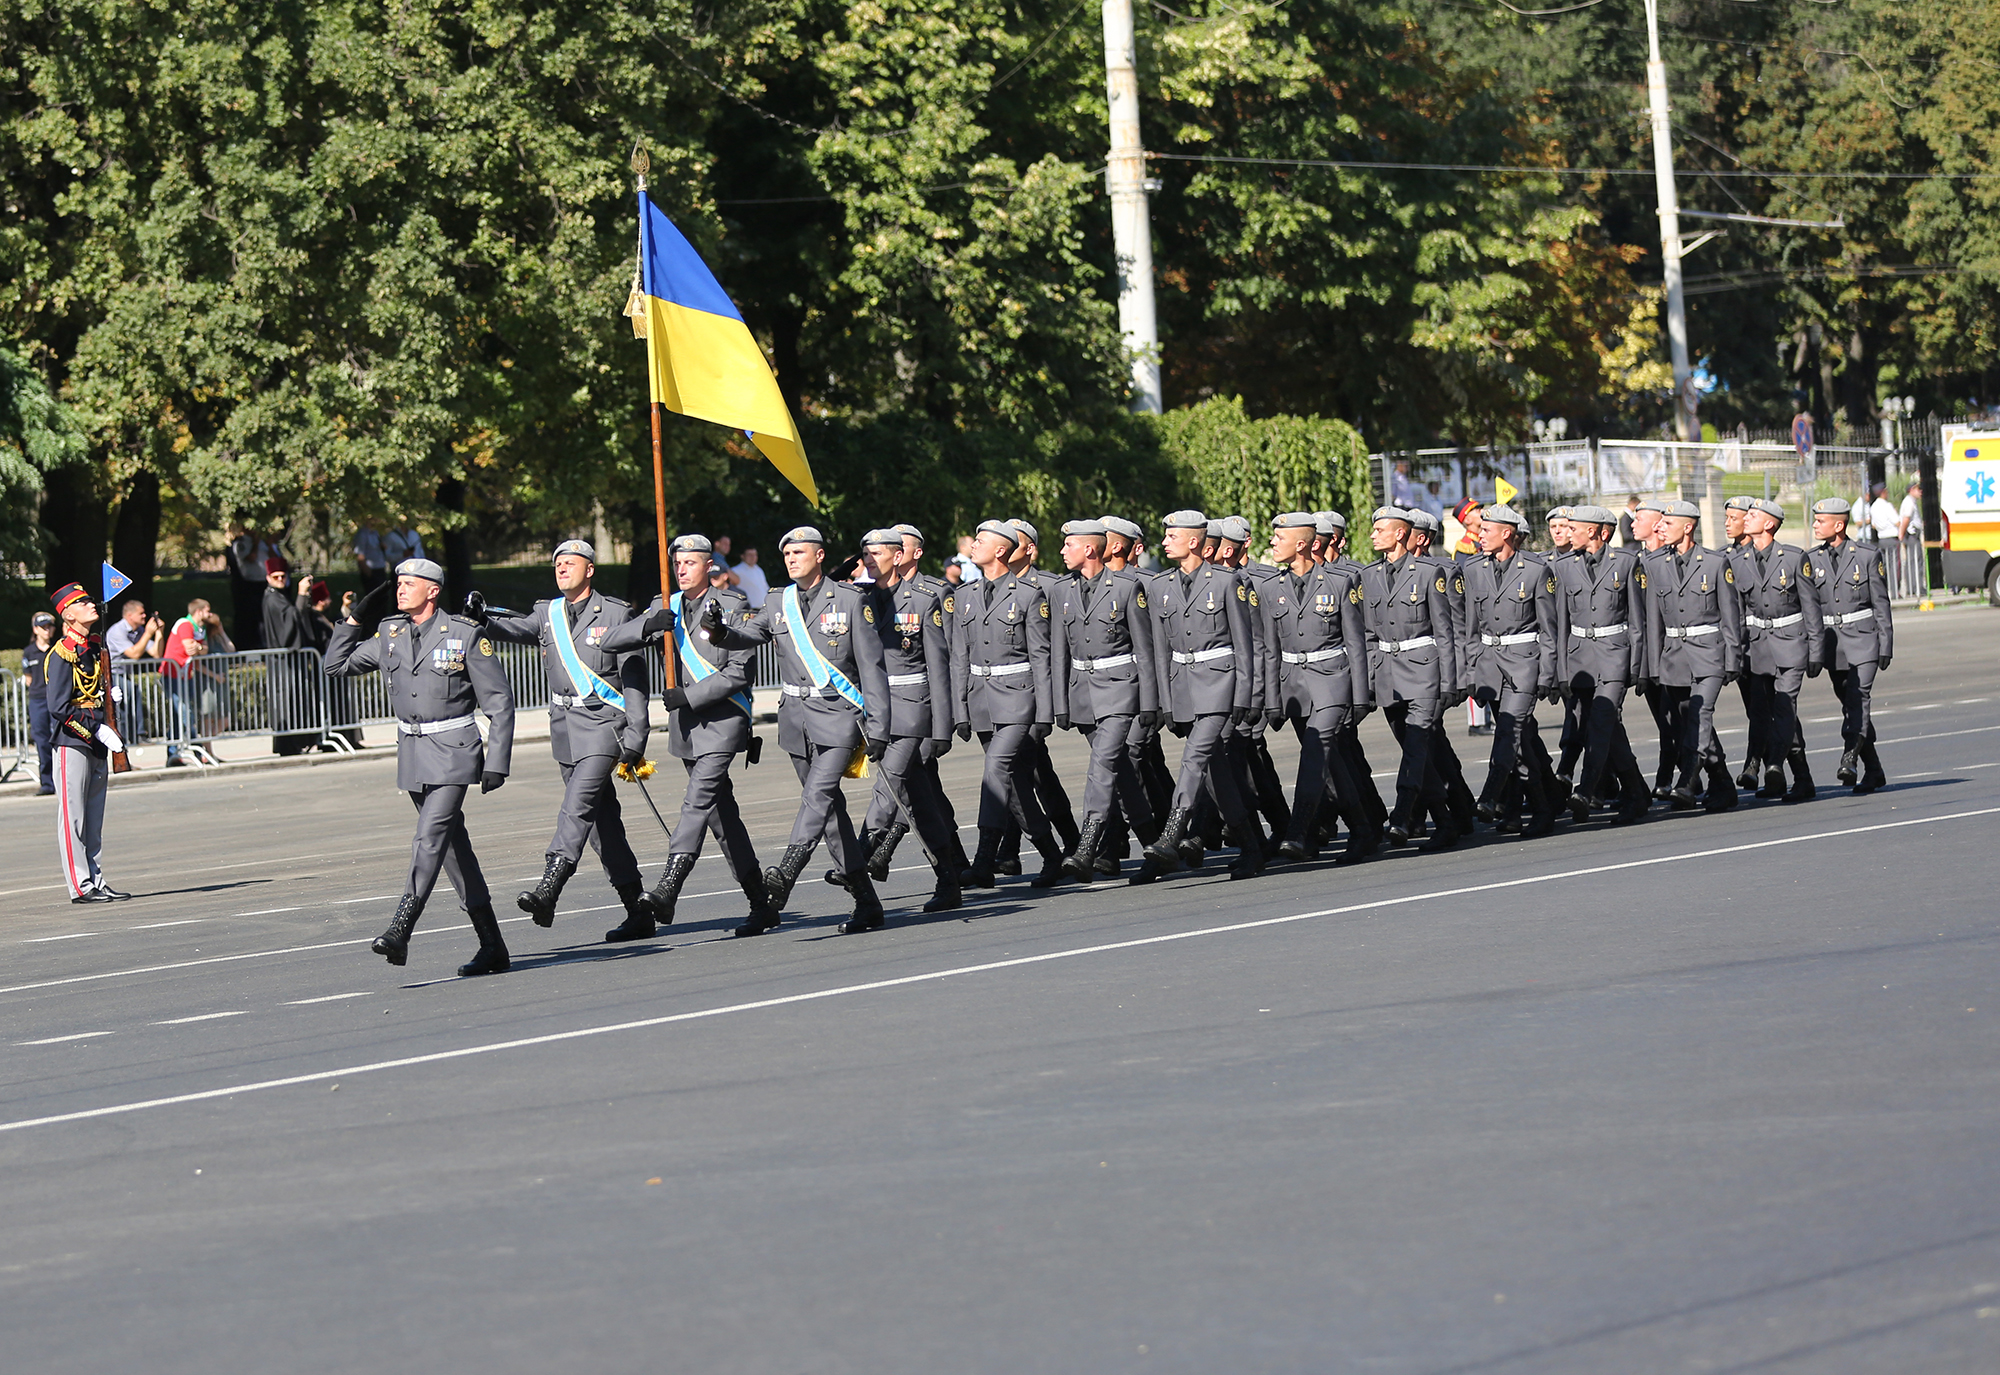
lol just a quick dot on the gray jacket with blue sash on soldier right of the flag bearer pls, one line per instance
(841, 625)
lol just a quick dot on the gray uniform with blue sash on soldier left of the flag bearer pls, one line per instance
(585, 732)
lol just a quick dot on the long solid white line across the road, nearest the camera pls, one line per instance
(991, 966)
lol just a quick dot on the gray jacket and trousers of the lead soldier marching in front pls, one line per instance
(437, 675)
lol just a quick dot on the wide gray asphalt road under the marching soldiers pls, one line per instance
(1709, 1094)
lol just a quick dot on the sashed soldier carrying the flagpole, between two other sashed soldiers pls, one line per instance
(709, 724)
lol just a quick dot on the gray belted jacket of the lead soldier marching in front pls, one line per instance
(437, 673)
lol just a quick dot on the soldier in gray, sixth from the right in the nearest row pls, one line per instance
(1407, 607)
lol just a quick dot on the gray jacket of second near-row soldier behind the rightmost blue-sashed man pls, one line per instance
(1001, 669)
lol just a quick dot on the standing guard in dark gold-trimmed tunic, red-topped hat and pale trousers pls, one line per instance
(77, 687)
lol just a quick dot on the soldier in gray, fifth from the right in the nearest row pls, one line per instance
(1511, 633)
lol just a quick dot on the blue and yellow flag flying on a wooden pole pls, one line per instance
(701, 355)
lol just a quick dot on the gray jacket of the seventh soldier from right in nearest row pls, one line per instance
(1315, 643)
